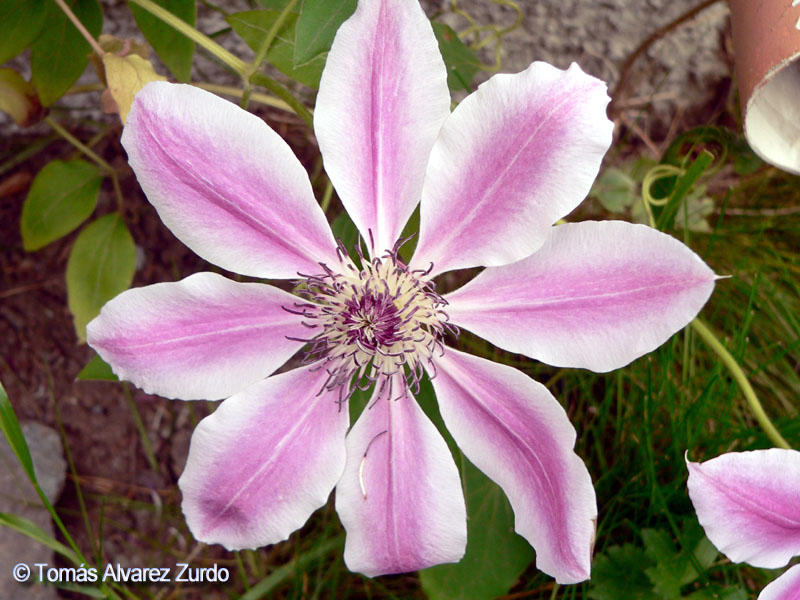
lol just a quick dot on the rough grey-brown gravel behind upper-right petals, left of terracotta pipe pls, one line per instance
(600, 36)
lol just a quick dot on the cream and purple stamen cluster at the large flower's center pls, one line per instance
(372, 322)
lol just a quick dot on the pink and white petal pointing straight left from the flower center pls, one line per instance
(204, 337)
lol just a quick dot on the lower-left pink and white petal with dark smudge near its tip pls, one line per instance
(266, 459)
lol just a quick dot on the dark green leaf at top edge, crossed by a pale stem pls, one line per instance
(175, 49)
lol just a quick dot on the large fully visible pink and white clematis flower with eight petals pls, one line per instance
(492, 178)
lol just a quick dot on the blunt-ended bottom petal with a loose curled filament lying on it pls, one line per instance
(400, 497)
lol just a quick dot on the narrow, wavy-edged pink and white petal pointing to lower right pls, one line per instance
(518, 434)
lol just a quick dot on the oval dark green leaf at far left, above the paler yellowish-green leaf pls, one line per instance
(62, 196)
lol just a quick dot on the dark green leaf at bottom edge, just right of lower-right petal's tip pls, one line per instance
(619, 574)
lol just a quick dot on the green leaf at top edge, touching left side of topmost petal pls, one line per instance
(319, 20)
